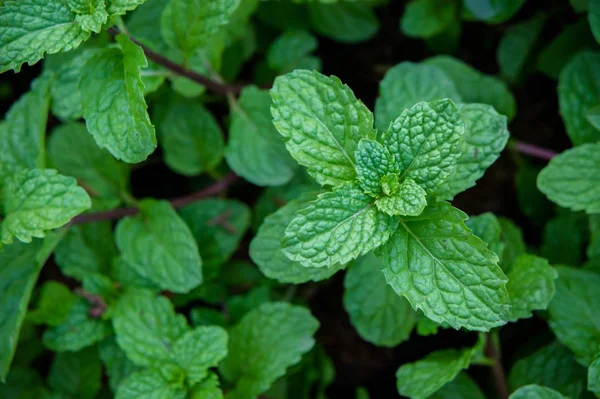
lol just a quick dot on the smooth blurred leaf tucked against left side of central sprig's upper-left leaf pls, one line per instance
(255, 150)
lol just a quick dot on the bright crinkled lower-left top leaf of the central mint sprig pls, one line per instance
(339, 226)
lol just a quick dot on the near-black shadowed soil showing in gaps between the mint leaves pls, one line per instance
(362, 66)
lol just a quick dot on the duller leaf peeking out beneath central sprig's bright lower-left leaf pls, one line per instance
(265, 248)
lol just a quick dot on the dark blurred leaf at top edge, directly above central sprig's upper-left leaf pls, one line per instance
(347, 22)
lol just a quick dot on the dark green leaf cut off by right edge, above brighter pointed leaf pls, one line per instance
(578, 91)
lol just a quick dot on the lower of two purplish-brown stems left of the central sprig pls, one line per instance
(115, 214)
